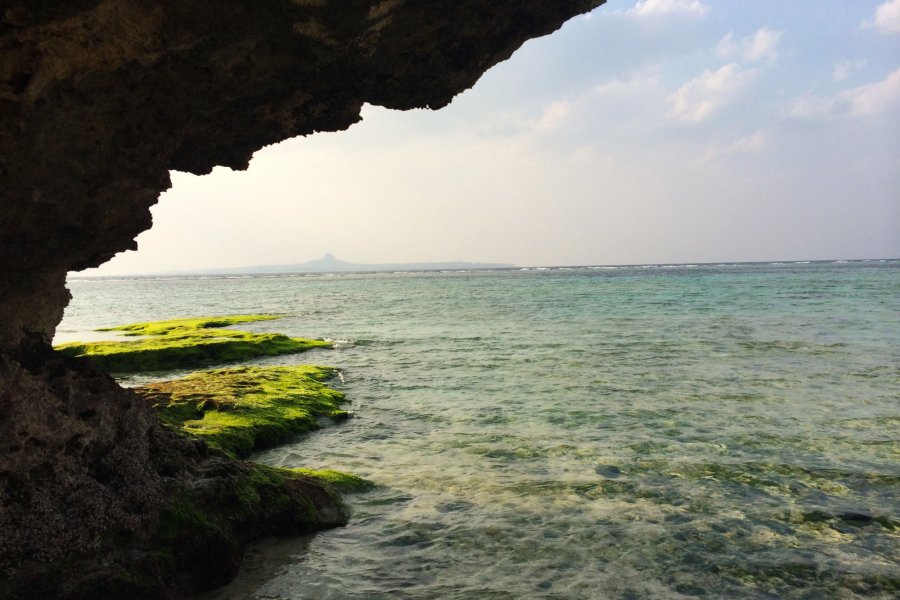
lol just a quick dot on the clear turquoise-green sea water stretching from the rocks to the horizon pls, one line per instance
(709, 431)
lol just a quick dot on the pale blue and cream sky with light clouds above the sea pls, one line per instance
(651, 131)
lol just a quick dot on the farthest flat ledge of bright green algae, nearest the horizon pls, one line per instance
(187, 343)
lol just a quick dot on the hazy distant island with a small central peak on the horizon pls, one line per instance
(331, 264)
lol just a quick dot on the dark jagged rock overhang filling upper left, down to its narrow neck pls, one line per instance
(100, 99)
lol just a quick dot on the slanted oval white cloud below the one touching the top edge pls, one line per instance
(707, 94)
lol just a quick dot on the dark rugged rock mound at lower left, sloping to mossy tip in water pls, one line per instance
(172, 518)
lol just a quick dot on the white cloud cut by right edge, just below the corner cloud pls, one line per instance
(862, 101)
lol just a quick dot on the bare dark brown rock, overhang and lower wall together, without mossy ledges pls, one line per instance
(99, 99)
